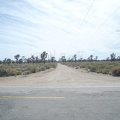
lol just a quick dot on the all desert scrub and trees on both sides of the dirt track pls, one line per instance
(23, 66)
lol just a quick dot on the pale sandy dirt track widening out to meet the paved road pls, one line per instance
(62, 76)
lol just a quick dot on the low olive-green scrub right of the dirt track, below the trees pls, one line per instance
(105, 67)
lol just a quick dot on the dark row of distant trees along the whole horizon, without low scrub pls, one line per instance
(42, 59)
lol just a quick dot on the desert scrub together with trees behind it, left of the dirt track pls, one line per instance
(24, 66)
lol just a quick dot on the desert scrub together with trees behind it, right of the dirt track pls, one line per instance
(110, 65)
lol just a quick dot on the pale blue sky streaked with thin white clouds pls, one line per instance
(64, 26)
